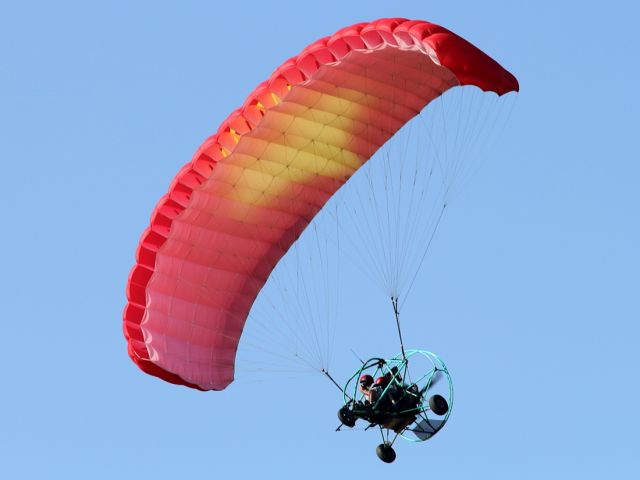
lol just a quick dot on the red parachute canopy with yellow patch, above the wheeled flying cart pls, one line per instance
(252, 188)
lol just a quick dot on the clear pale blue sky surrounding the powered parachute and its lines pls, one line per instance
(530, 293)
